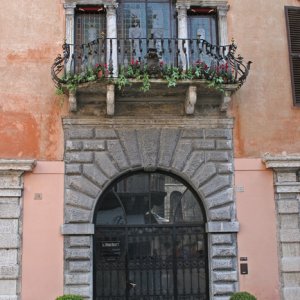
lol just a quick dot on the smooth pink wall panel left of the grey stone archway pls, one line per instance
(42, 258)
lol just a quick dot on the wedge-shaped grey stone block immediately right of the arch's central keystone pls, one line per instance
(168, 142)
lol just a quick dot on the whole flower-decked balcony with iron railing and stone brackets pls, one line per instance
(110, 73)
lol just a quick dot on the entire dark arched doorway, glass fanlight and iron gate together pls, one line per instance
(150, 240)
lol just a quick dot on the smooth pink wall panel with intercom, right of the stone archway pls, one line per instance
(257, 237)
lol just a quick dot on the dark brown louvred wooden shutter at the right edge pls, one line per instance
(293, 29)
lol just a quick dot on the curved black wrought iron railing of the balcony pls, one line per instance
(109, 57)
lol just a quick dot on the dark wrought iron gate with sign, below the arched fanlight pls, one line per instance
(139, 266)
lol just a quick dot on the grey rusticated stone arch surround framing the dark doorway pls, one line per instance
(96, 154)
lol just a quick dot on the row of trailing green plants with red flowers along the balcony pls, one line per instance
(216, 76)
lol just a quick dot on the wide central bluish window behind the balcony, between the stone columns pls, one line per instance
(143, 25)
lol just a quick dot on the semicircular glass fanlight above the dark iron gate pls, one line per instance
(149, 198)
